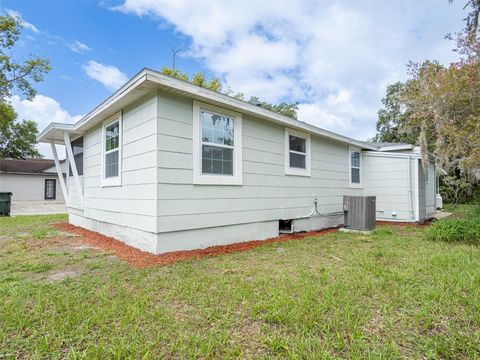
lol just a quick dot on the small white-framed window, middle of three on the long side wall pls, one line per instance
(297, 153)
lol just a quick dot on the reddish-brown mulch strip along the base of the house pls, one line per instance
(141, 259)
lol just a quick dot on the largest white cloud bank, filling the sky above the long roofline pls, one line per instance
(334, 57)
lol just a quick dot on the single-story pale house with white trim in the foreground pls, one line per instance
(165, 165)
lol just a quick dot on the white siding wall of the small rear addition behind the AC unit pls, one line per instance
(387, 179)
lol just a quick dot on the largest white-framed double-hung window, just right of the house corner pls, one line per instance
(217, 146)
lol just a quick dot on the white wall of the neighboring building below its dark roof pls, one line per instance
(28, 187)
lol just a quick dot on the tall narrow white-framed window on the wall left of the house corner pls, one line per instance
(111, 154)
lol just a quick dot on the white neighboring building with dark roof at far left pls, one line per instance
(34, 184)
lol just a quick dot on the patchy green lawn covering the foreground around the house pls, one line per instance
(389, 295)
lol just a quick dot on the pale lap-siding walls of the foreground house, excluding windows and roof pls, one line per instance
(158, 207)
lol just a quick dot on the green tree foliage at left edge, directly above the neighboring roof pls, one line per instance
(17, 138)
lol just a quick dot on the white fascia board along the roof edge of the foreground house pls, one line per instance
(197, 93)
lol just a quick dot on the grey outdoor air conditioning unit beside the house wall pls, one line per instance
(360, 212)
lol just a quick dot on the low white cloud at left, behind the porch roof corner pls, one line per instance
(43, 110)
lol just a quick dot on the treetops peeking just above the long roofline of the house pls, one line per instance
(214, 84)
